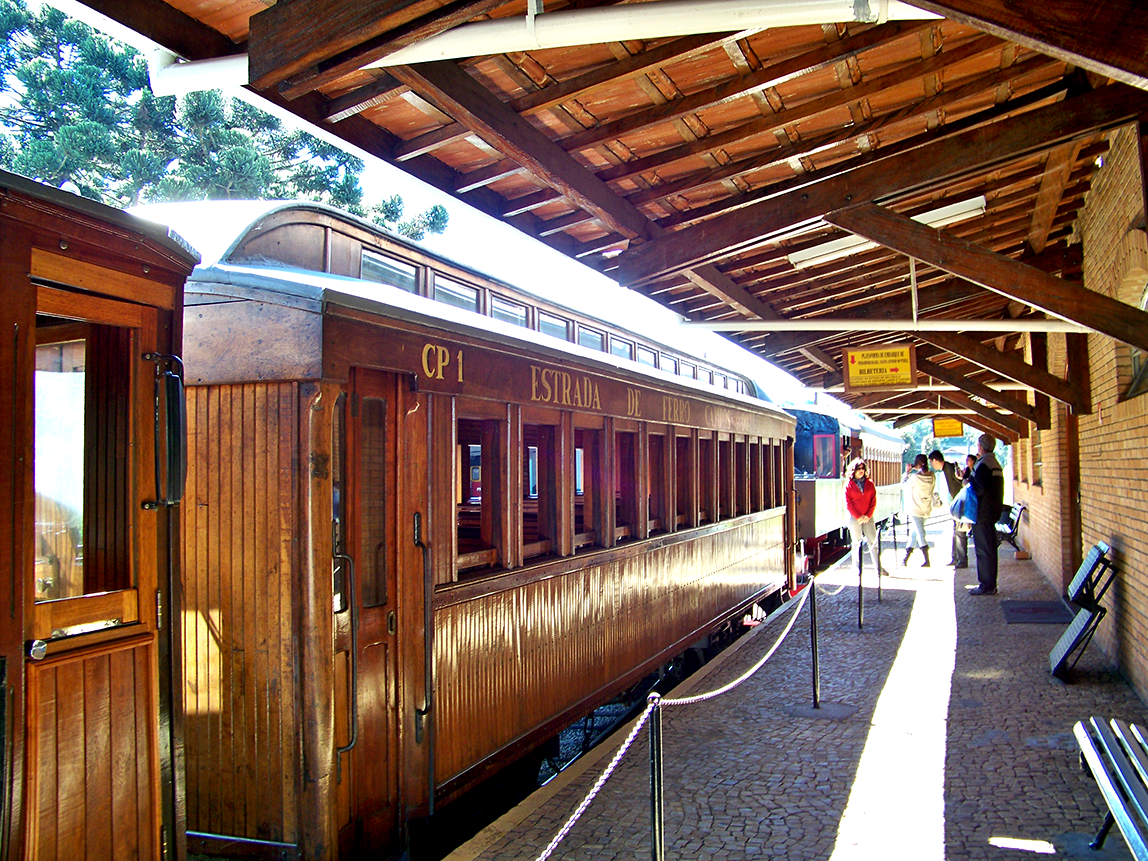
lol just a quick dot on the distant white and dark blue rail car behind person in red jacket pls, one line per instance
(825, 443)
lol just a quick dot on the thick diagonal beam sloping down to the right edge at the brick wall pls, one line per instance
(997, 273)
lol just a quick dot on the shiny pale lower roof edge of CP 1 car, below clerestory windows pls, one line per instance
(319, 292)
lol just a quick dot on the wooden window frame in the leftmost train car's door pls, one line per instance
(118, 449)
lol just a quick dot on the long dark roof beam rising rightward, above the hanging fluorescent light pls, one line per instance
(979, 149)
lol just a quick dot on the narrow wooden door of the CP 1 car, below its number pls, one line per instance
(369, 759)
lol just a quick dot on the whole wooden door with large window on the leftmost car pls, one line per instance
(92, 560)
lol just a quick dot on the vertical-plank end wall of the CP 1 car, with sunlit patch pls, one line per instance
(241, 561)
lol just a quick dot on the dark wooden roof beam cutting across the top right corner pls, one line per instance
(1107, 38)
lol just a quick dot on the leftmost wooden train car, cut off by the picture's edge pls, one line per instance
(91, 307)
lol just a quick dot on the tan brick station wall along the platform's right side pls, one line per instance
(1114, 439)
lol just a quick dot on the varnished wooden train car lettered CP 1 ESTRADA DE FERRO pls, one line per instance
(421, 539)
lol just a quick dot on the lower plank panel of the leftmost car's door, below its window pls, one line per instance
(94, 755)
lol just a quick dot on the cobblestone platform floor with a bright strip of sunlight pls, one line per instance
(947, 739)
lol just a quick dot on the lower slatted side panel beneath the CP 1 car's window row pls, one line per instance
(509, 662)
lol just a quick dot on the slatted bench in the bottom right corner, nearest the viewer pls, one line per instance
(1115, 754)
